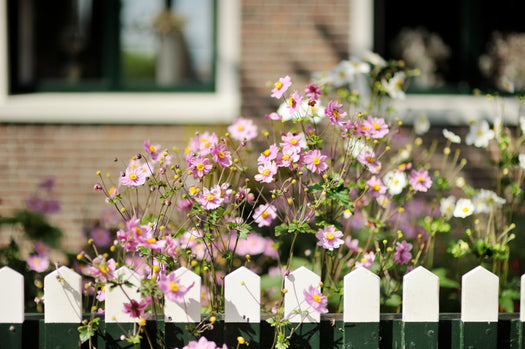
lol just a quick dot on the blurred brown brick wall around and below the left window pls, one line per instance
(278, 38)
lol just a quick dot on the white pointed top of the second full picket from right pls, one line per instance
(420, 296)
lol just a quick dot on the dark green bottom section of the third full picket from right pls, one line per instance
(363, 335)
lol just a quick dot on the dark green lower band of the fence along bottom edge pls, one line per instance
(331, 332)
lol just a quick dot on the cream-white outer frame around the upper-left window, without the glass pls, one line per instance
(221, 106)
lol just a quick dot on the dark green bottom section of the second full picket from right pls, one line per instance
(420, 334)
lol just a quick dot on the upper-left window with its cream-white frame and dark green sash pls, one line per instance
(183, 53)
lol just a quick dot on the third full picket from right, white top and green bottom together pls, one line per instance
(361, 309)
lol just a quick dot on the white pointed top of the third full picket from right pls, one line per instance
(361, 296)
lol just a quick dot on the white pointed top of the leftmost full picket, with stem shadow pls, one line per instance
(63, 296)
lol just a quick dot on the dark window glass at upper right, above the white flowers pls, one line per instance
(458, 45)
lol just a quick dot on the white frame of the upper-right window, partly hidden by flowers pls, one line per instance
(449, 109)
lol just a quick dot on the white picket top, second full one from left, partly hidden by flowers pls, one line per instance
(116, 297)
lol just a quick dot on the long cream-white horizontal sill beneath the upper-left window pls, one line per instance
(135, 108)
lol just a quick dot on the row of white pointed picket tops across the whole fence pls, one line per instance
(242, 289)
